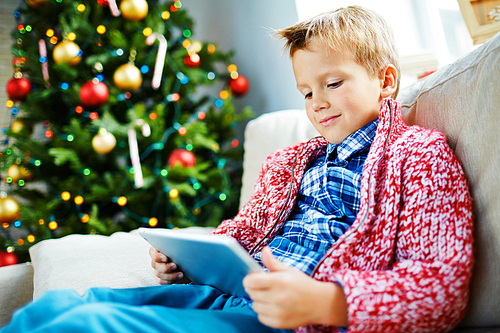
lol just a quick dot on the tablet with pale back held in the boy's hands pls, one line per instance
(214, 260)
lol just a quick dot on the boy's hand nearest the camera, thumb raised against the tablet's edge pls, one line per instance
(288, 298)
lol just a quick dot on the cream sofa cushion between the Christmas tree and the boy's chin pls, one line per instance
(266, 134)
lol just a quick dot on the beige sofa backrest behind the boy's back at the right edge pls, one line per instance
(463, 101)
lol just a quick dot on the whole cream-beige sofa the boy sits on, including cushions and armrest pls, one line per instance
(461, 100)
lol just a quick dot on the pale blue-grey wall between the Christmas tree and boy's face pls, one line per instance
(246, 27)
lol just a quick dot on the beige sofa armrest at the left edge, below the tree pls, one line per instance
(16, 289)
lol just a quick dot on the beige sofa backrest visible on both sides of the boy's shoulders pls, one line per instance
(461, 100)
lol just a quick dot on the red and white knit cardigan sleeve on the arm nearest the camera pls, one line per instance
(425, 287)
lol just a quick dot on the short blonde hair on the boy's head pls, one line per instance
(361, 31)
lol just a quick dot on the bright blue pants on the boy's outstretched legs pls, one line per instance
(174, 308)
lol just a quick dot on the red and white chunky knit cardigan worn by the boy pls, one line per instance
(405, 263)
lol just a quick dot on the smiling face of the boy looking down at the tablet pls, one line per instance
(340, 95)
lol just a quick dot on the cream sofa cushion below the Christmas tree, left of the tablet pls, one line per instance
(83, 261)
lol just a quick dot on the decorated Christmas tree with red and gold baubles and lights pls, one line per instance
(120, 119)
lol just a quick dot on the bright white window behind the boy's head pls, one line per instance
(429, 34)
